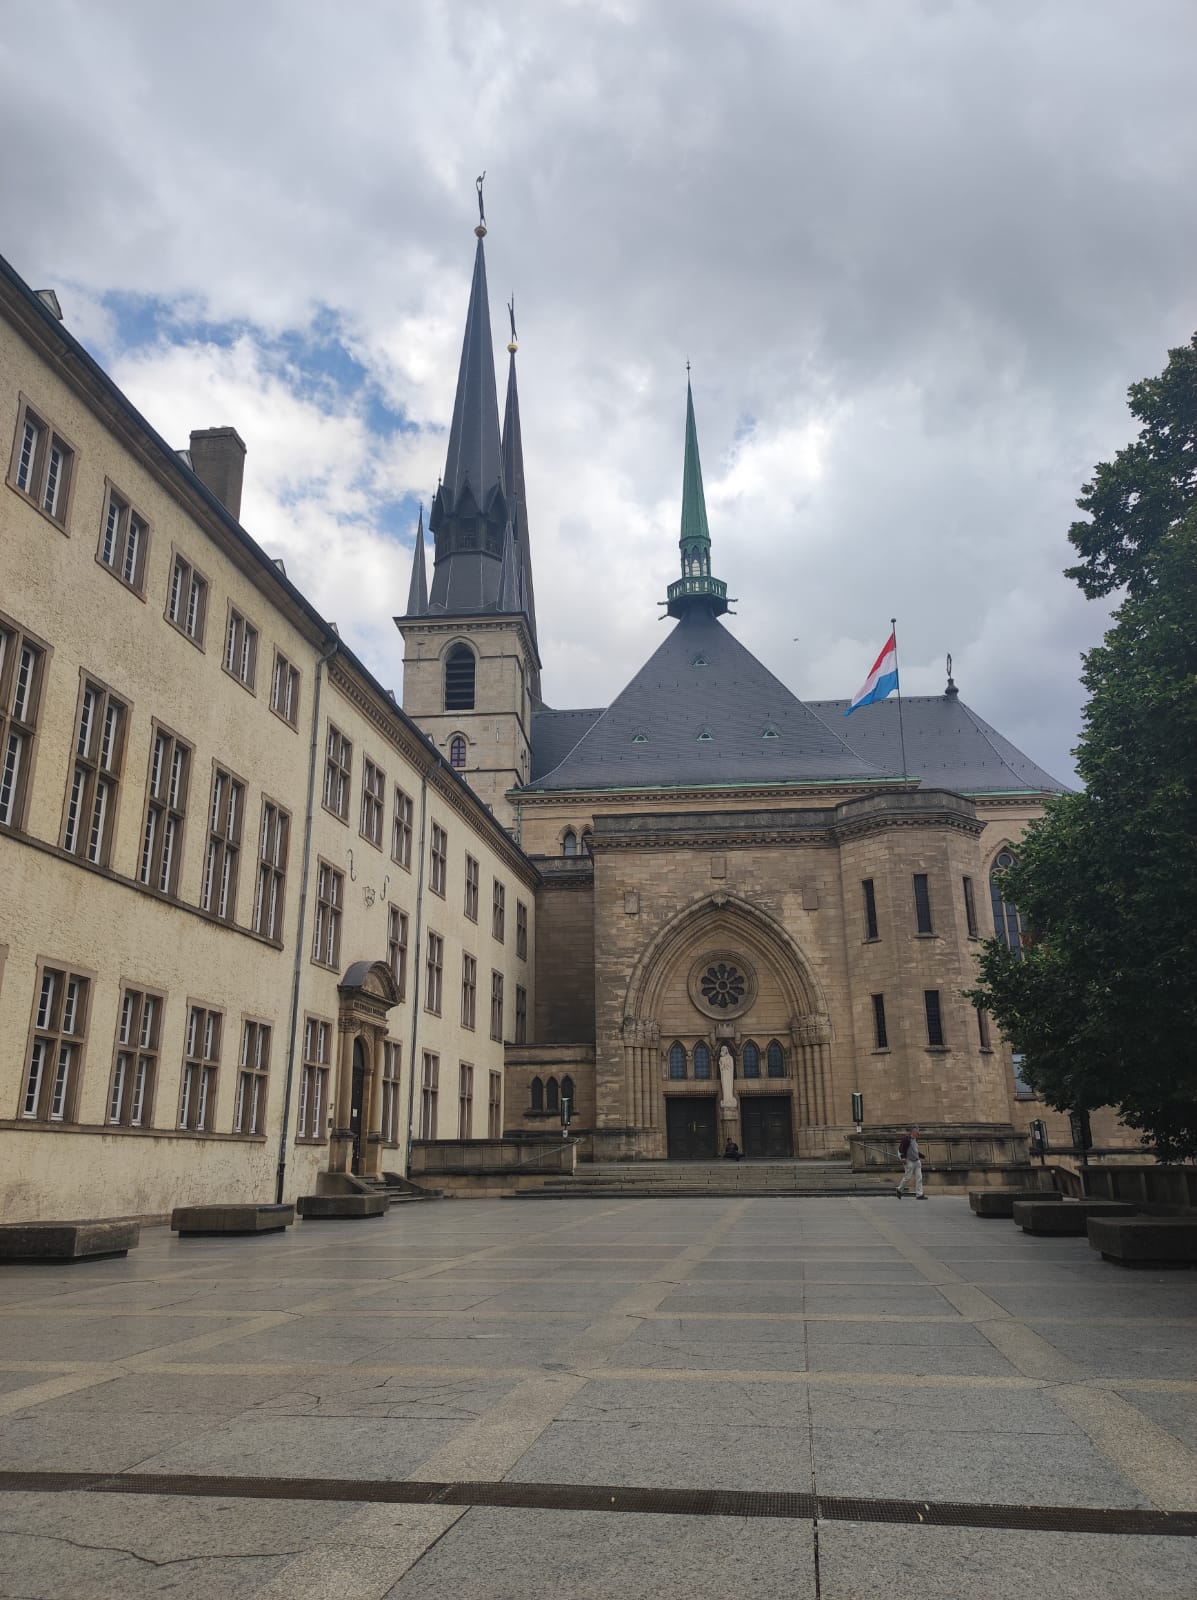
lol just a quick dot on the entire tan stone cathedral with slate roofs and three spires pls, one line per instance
(758, 918)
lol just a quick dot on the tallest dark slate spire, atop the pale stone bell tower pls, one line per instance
(470, 513)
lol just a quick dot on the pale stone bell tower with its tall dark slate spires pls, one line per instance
(471, 666)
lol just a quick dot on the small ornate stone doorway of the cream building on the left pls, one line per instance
(366, 998)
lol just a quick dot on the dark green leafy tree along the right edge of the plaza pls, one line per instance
(1103, 1002)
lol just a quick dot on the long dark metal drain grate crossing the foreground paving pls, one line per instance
(615, 1498)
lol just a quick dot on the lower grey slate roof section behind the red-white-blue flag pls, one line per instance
(947, 745)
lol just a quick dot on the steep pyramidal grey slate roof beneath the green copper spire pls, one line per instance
(699, 713)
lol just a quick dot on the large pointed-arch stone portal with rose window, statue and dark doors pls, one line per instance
(729, 990)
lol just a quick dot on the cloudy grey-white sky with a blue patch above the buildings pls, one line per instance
(915, 252)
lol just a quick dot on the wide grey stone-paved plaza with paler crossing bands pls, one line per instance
(601, 1399)
